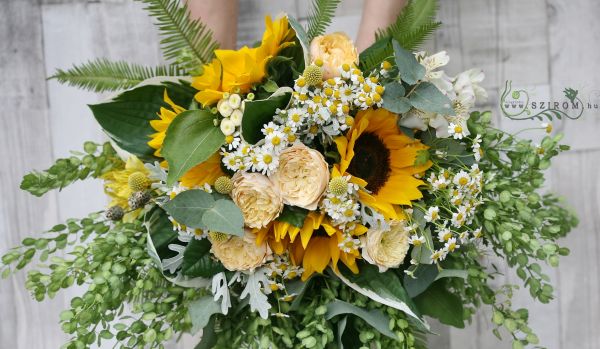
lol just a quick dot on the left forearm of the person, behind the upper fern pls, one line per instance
(220, 16)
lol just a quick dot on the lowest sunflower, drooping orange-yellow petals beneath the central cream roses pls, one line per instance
(318, 246)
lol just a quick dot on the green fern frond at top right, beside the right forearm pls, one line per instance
(412, 26)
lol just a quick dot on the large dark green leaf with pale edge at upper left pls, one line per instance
(126, 118)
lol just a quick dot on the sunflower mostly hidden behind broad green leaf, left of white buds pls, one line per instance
(206, 172)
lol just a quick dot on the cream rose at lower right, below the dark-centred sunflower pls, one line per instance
(386, 248)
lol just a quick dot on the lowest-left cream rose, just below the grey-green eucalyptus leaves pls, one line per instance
(241, 253)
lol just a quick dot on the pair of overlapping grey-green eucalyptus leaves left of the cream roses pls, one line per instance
(199, 209)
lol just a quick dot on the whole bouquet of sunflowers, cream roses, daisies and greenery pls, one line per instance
(295, 194)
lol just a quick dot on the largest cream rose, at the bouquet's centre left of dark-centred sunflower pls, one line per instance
(302, 176)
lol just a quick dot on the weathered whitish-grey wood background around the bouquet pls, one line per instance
(546, 45)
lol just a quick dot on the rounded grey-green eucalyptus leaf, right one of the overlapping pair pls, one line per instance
(224, 217)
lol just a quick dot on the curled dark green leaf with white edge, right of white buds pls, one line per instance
(260, 112)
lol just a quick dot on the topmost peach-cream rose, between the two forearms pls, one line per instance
(334, 50)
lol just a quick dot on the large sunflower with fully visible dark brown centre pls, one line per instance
(375, 151)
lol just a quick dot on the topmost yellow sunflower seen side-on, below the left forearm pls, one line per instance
(238, 70)
